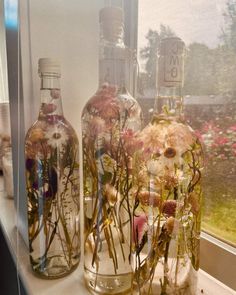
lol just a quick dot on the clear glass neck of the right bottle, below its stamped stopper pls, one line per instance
(169, 103)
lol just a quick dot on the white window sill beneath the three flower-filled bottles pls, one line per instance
(72, 284)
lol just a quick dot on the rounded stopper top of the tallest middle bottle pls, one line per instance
(111, 13)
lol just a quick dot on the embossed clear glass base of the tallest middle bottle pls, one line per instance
(108, 284)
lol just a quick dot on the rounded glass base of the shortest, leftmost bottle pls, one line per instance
(54, 267)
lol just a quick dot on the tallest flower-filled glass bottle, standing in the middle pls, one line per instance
(110, 120)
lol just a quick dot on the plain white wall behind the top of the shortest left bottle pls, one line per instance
(69, 31)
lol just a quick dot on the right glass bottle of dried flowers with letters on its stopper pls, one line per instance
(167, 192)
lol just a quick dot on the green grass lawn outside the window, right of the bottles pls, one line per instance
(219, 205)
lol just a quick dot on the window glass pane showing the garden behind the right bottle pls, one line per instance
(208, 29)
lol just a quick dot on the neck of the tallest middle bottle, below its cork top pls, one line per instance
(114, 56)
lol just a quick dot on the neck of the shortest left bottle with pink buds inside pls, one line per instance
(50, 95)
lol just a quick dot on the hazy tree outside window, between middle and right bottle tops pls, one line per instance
(149, 52)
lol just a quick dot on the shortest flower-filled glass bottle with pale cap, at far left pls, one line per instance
(52, 182)
